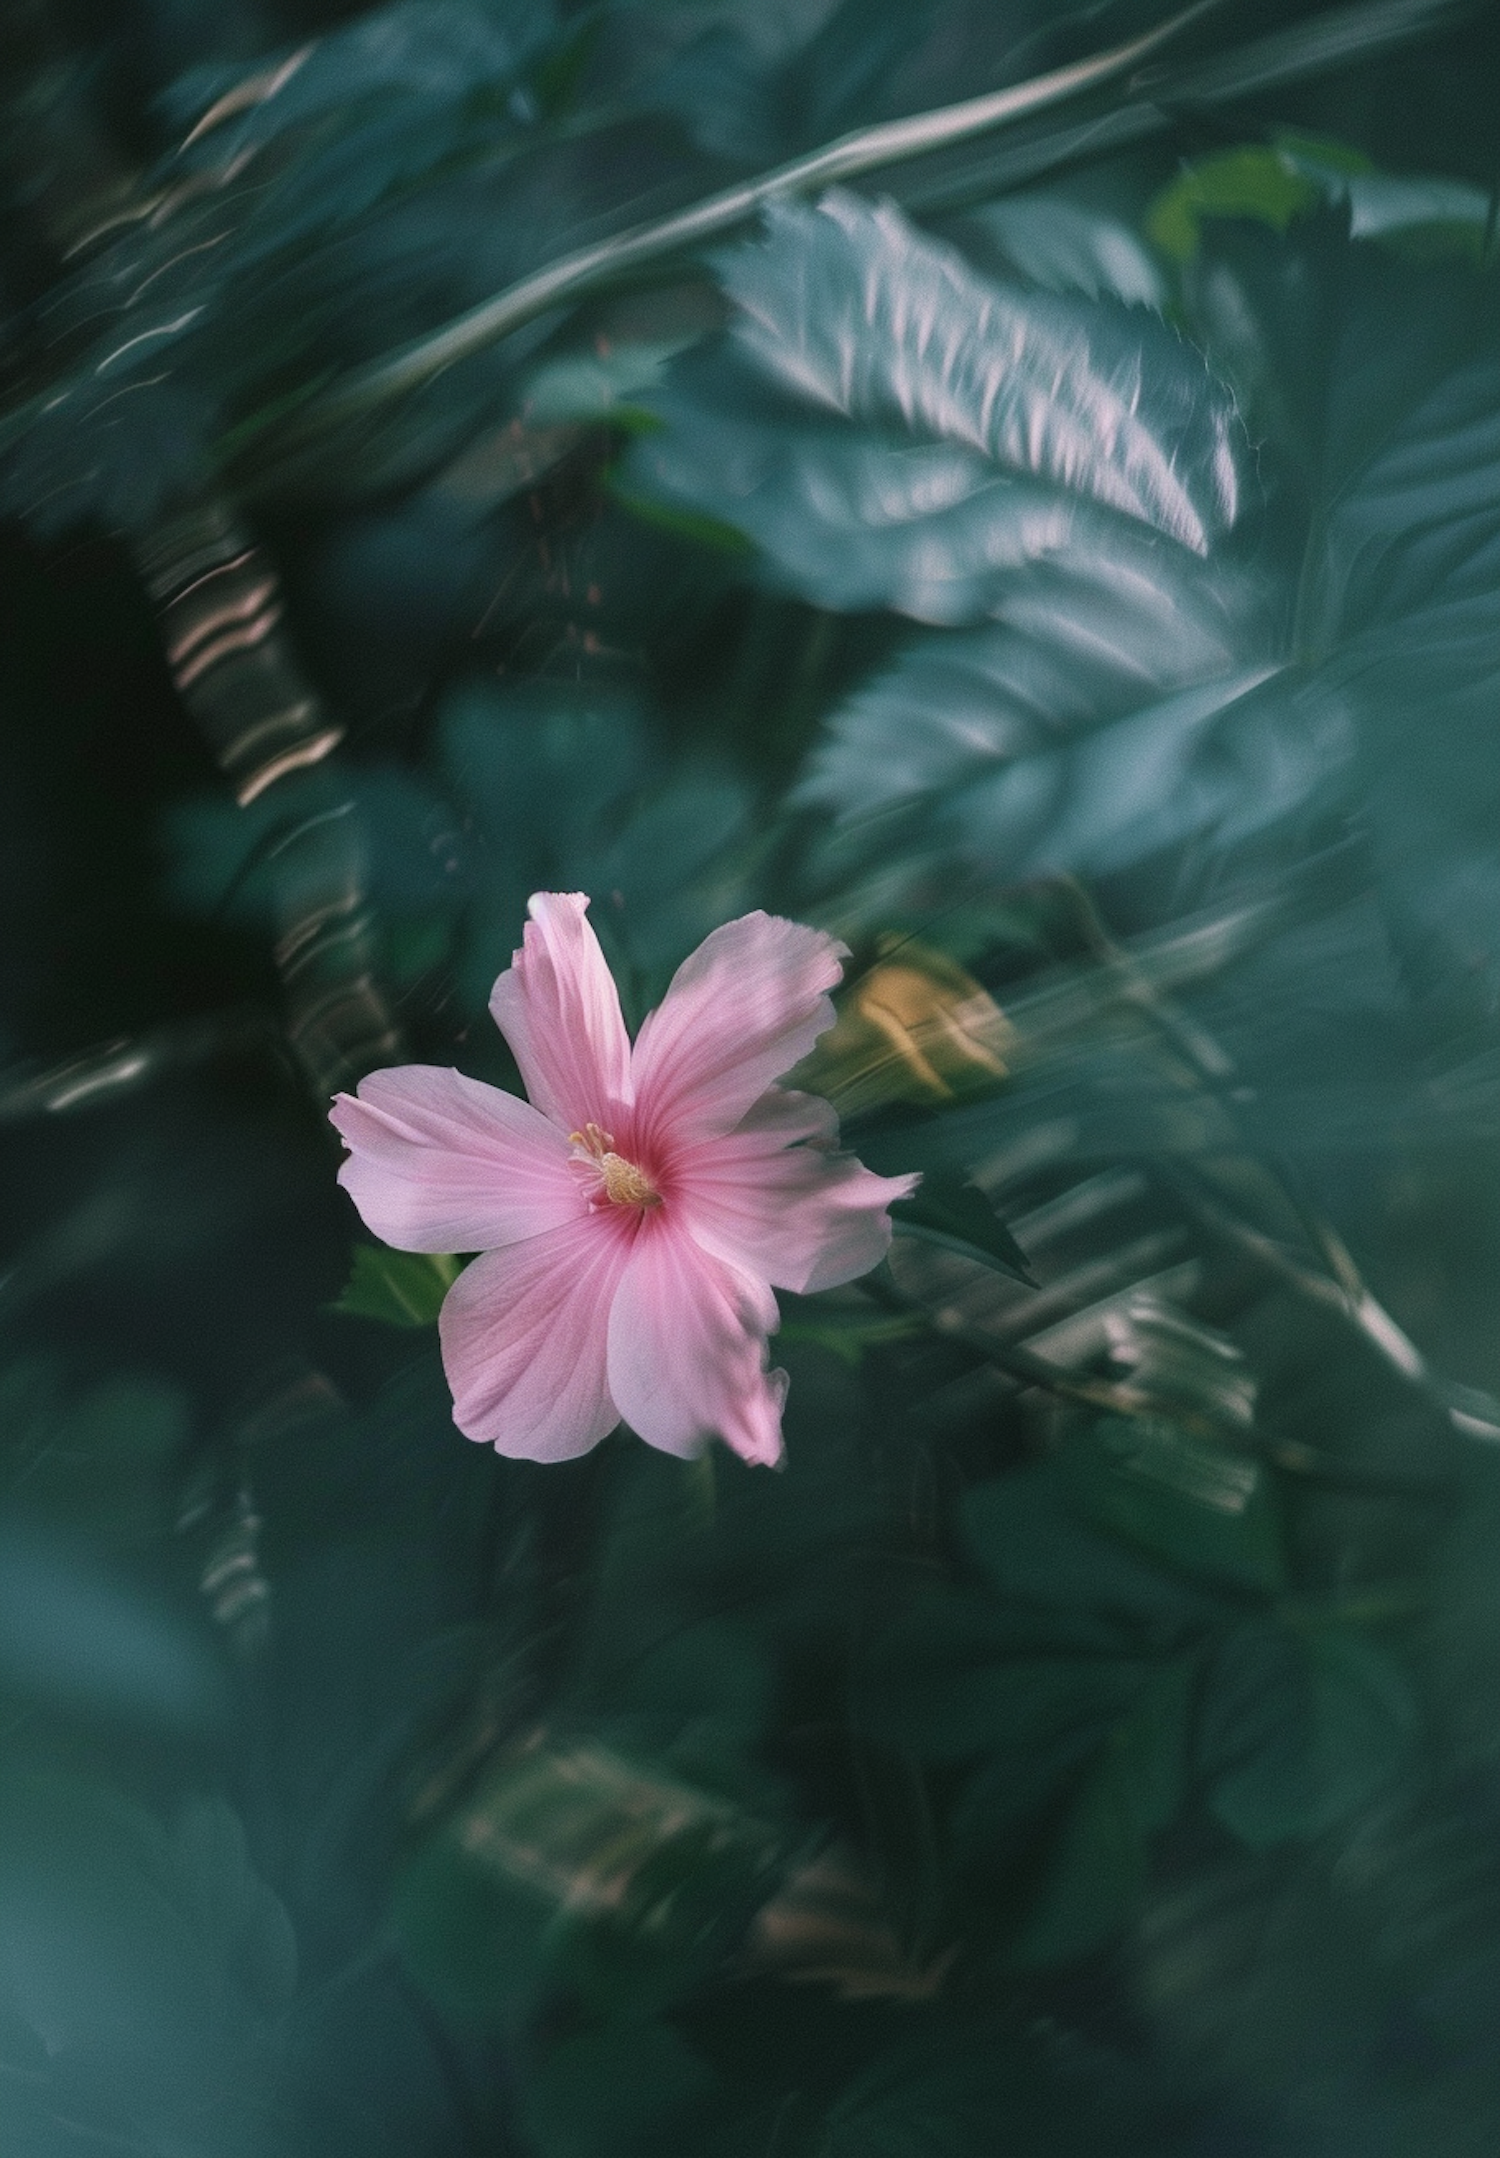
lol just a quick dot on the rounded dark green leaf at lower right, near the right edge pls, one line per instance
(1303, 1727)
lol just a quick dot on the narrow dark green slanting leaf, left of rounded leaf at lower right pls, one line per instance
(1102, 1861)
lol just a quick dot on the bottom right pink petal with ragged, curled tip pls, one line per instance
(687, 1350)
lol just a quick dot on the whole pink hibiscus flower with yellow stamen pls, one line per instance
(638, 1212)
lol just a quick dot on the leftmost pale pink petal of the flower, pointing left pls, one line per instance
(448, 1164)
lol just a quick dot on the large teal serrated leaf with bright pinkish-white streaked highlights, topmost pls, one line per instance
(895, 431)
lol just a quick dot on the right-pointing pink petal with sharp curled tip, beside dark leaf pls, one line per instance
(797, 1216)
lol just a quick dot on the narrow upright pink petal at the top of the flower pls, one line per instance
(560, 1011)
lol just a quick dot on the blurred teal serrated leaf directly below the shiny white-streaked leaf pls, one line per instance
(1011, 746)
